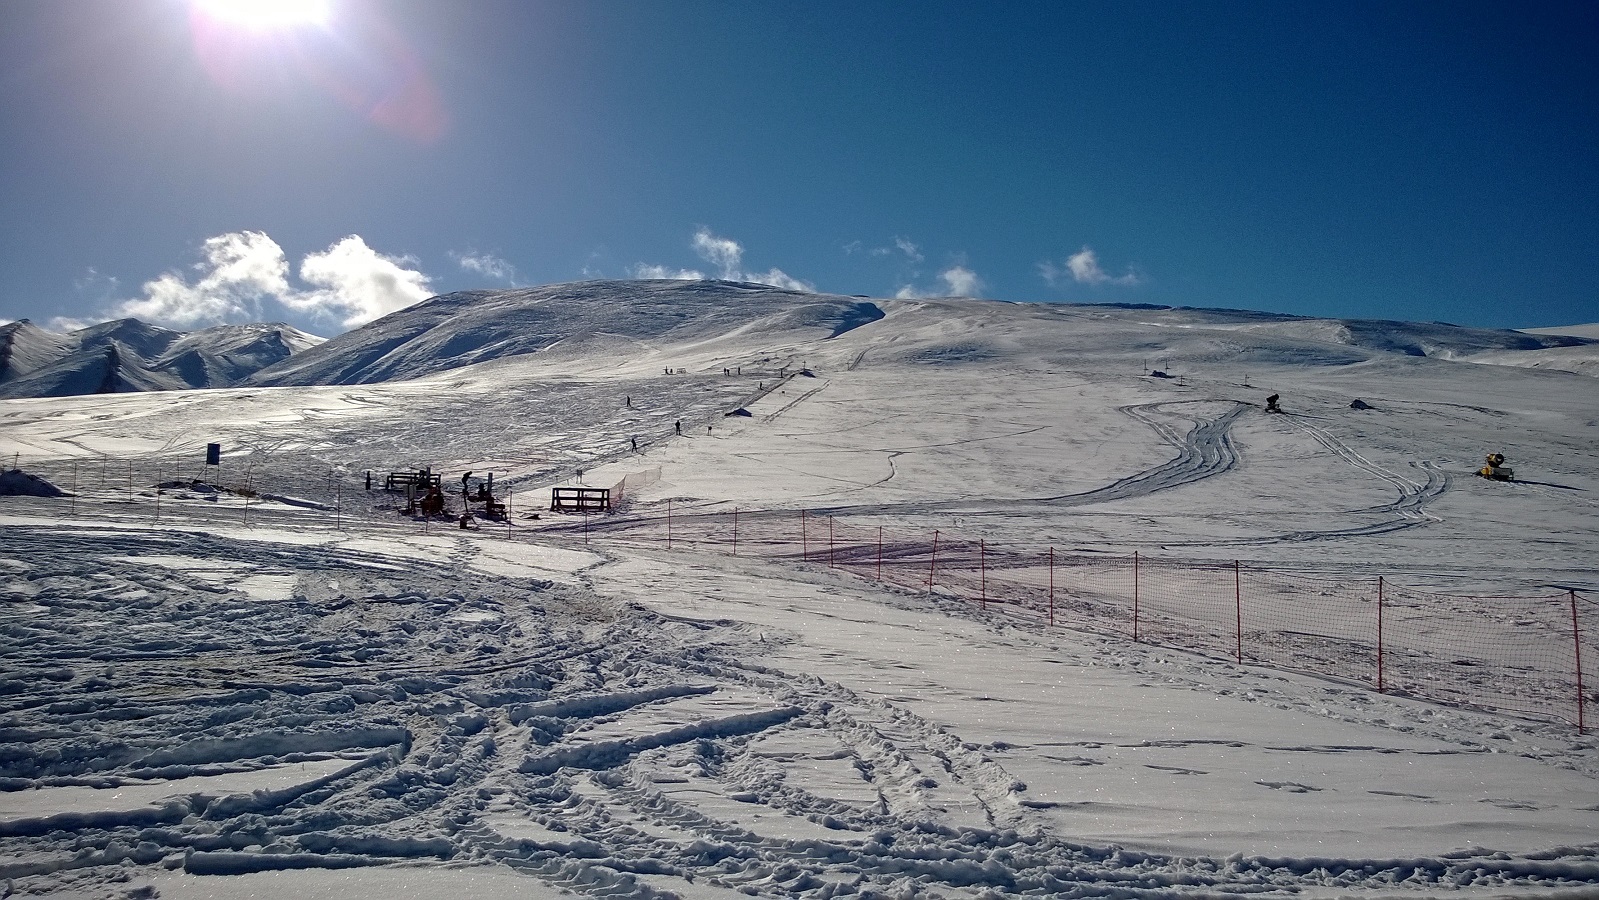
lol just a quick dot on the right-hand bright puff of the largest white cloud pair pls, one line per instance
(359, 284)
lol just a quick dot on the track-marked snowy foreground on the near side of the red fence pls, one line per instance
(175, 720)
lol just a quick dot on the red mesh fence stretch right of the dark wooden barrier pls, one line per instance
(1517, 655)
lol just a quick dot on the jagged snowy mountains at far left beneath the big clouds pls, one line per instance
(129, 356)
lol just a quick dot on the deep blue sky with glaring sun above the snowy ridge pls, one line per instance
(177, 161)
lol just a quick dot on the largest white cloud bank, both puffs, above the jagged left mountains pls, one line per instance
(241, 276)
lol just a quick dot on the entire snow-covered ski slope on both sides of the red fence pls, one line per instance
(317, 696)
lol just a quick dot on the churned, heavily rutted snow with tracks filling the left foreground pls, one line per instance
(519, 722)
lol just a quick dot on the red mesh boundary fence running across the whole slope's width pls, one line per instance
(1526, 655)
